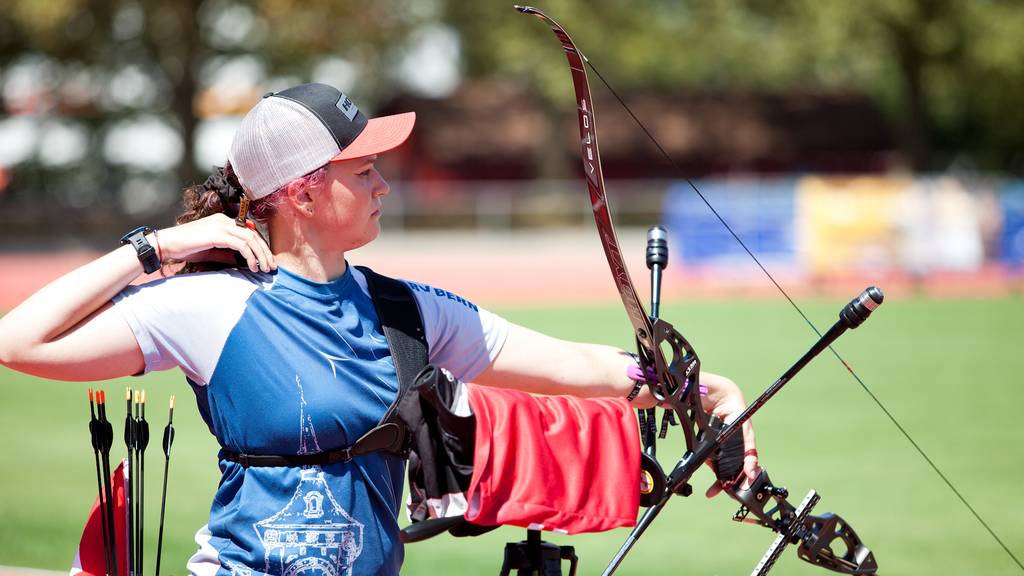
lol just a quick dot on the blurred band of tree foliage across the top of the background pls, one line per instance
(948, 73)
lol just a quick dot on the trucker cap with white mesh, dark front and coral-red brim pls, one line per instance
(292, 133)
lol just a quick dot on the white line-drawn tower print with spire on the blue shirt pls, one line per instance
(313, 536)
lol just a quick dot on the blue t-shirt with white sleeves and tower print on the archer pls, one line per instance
(283, 365)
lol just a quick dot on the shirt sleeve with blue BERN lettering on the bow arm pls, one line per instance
(463, 338)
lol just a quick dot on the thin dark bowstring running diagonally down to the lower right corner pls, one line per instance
(878, 402)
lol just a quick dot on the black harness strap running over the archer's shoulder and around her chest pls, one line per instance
(403, 326)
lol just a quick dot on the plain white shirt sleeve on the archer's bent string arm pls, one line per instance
(185, 320)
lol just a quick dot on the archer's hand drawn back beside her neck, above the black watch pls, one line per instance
(216, 238)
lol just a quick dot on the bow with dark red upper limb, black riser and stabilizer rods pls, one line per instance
(824, 541)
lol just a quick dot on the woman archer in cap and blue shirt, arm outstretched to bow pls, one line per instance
(285, 350)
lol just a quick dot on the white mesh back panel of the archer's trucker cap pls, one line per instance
(278, 142)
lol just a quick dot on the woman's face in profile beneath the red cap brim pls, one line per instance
(349, 208)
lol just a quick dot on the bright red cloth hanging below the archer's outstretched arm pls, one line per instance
(556, 463)
